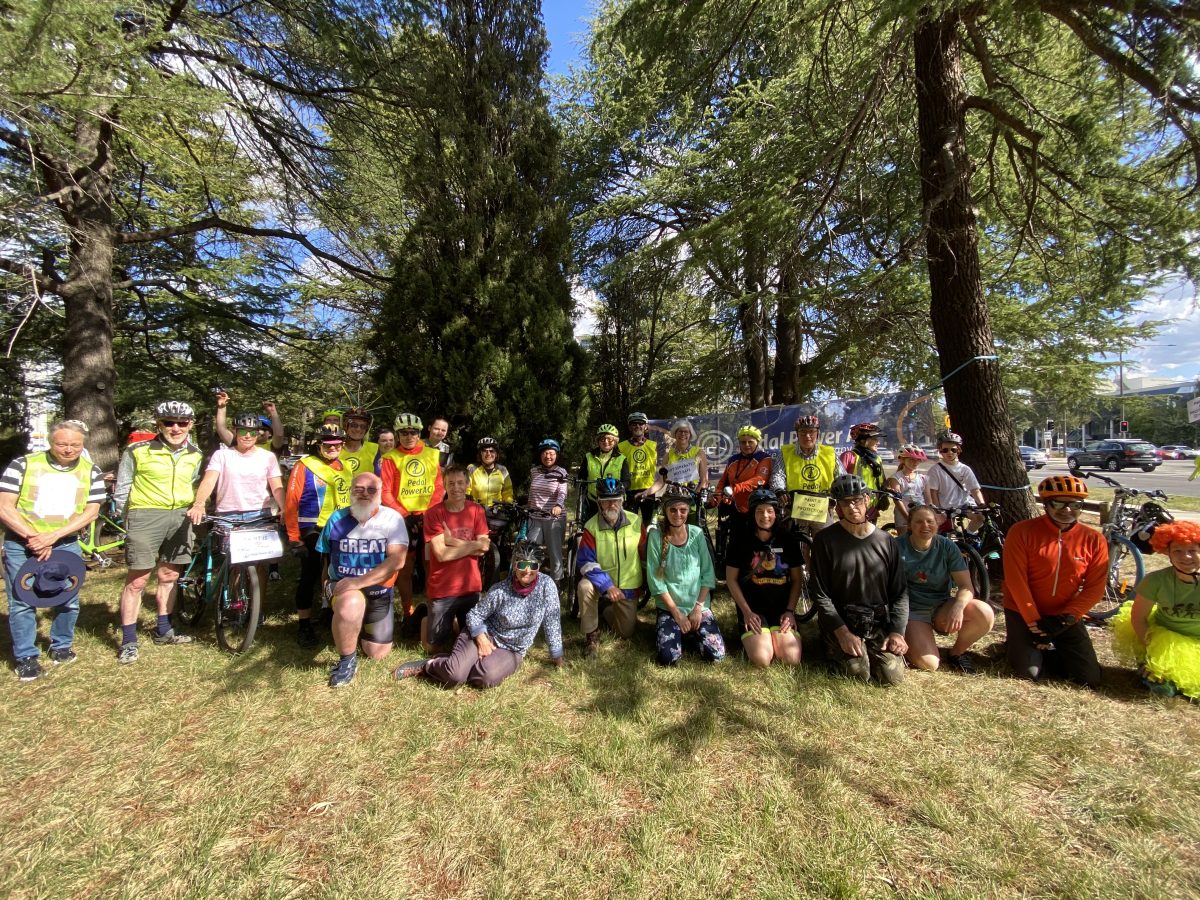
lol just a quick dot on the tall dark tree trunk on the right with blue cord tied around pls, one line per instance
(975, 395)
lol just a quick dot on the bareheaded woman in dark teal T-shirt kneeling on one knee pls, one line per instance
(940, 596)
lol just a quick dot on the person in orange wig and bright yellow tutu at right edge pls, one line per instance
(1161, 631)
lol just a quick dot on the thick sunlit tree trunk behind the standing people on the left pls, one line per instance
(89, 375)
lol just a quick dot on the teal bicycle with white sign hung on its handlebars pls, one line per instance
(230, 548)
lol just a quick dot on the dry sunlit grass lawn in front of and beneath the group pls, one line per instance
(197, 775)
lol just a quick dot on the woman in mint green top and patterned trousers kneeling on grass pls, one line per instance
(680, 575)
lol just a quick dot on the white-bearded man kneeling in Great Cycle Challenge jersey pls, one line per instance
(367, 545)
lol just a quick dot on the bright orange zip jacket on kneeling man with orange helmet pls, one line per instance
(1049, 572)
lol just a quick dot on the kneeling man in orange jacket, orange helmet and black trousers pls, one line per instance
(1055, 569)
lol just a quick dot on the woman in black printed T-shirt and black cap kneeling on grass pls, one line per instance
(763, 572)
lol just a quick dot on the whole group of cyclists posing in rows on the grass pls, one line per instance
(801, 526)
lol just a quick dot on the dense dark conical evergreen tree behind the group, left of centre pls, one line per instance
(477, 325)
